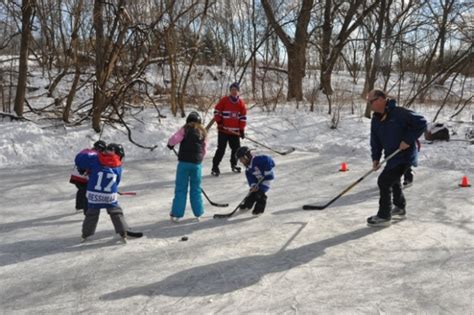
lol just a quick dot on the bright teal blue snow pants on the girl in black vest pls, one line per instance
(187, 173)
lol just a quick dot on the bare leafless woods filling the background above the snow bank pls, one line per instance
(112, 50)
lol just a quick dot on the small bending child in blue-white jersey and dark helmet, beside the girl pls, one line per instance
(259, 172)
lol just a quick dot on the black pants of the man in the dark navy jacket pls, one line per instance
(389, 183)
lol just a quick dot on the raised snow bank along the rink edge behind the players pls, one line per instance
(27, 143)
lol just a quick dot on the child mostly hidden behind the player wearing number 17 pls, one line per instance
(80, 177)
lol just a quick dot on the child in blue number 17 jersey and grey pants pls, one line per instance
(105, 173)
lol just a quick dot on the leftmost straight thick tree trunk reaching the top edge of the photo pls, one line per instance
(26, 12)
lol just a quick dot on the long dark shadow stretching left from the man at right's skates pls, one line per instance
(231, 275)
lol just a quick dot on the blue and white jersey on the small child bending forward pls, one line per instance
(260, 166)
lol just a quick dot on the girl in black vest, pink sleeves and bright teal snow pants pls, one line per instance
(192, 139)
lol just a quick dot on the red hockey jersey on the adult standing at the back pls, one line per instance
(230, 117)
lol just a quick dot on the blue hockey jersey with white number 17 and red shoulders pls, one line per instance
(105, 173)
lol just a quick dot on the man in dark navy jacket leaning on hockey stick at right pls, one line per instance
(392, 128)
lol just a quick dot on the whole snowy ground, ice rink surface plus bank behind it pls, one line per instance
(285, 261)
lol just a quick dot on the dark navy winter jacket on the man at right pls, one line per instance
(389, 129)
